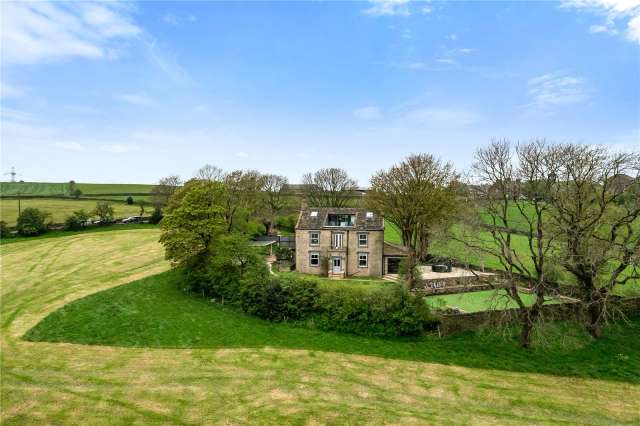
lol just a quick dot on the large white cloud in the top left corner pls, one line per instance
(34, 32)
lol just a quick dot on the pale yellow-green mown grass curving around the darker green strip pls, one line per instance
(79, 384)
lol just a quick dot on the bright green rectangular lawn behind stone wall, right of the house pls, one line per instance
(477, 301)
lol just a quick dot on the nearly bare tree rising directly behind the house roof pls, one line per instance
(328, 188)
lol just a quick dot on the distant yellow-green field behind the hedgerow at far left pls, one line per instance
(59, 208)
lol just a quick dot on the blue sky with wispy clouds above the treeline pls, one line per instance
(130, 92)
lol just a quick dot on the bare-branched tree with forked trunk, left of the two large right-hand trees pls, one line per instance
(510, 201)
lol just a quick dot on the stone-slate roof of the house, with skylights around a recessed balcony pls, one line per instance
(307, 220)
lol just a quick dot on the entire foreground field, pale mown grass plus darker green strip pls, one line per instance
(230, 368)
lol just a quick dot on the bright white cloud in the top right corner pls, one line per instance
(614, 12)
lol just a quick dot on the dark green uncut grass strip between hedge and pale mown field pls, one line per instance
(154, 312)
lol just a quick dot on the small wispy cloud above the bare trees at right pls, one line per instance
(557, 89)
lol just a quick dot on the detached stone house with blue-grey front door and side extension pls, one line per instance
(342, 242)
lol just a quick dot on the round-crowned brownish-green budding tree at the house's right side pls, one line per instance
(418, 196)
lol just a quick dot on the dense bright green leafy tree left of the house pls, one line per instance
(193, 220)
